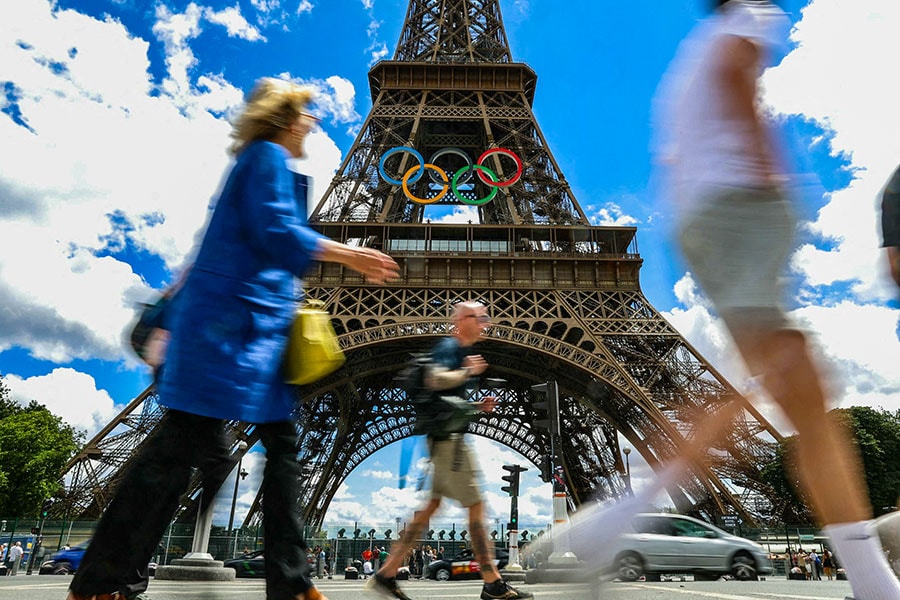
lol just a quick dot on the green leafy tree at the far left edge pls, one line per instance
(35, 445)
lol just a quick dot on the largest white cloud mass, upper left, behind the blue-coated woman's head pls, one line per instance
(102, 161)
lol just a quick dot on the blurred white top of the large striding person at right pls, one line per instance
(697, 146)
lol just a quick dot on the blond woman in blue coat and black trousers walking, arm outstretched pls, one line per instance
(229, 325)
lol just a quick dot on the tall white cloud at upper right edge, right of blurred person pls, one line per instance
(845, 89)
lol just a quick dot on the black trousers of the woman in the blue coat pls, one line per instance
(134, 522)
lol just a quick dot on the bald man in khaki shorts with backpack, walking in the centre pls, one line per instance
(455, 471)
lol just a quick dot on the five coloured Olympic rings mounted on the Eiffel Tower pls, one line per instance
(440, 177)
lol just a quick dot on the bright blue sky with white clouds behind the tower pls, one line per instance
(114, 128)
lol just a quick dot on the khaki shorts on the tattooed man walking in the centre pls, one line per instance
(455, 474)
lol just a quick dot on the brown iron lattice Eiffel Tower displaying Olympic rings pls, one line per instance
(564, 296)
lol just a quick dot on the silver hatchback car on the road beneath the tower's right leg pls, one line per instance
(665, 543)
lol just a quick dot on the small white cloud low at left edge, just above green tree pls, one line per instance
(71, 395)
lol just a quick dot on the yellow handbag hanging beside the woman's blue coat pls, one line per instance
(313, 350)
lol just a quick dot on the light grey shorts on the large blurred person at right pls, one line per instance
(737, 244)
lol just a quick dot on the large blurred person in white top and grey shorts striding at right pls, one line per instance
(735, 229)
